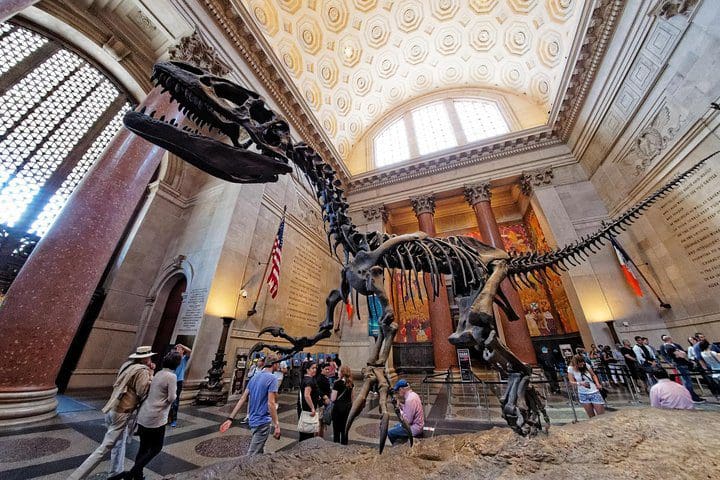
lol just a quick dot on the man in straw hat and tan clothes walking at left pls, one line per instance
(130, 389)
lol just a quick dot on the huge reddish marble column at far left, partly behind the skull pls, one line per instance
(48, 299)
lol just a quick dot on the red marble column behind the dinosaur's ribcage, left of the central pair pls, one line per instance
(440, 319)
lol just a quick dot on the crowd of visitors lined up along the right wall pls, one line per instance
(664, 372)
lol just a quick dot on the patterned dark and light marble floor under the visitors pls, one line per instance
(53, 448)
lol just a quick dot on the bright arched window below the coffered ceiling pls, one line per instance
(438, 126)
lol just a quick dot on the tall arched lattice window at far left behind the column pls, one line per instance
(57, 114)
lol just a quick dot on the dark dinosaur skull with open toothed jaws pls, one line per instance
(216, 103)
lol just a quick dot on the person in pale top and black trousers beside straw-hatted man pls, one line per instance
(153, 416)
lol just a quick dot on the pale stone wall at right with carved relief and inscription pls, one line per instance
(646, 119)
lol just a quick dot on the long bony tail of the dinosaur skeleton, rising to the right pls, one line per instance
(527, 265)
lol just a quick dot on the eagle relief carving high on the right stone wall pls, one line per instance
(654, 139)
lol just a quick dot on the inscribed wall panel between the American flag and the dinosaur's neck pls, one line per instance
(305, 296)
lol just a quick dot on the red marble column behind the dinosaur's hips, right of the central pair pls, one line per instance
(517, 335)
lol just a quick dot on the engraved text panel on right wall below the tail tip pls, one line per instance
(693, 213)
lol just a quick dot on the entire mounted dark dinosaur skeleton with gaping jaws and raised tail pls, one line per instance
(245, 122)
